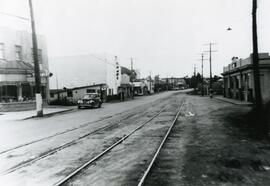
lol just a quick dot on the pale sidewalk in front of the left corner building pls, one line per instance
(22, 115)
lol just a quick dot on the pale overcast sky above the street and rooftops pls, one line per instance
(164, 37)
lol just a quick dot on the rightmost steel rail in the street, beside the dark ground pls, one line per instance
(159, 148)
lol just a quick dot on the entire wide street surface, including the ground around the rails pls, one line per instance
(116, 144)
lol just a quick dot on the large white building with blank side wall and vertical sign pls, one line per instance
(85, 70)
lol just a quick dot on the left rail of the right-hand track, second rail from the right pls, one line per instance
(76, 171)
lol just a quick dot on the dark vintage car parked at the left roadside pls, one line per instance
(90, 100)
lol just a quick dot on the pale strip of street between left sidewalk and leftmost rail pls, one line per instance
(15, 133)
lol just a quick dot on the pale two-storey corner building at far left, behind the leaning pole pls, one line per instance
(17, 81)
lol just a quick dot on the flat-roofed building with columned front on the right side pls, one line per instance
(239, 78)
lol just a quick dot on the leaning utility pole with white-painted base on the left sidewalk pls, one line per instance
(39, 108)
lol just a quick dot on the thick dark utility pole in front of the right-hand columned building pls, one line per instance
(255, 58)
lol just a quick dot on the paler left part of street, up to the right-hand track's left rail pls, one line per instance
(55, 146)
